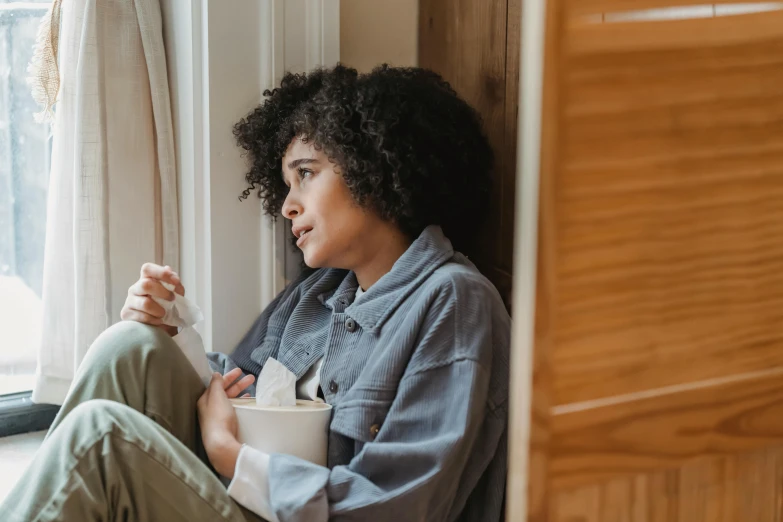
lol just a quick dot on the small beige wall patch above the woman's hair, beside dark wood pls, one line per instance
(378, 31)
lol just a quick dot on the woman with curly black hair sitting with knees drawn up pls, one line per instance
(395, 329)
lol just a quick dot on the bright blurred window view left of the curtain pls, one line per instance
(25, 154)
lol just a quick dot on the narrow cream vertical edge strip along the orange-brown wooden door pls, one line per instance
(525, 250)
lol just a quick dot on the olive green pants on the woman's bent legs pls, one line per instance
(126, 444)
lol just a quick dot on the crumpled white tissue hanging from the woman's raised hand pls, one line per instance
(183, 314)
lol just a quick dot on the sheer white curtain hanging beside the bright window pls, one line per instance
(113, 194)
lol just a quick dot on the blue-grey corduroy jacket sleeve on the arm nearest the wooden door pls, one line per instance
(411, 469)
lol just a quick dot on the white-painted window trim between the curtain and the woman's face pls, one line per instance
(221, 58)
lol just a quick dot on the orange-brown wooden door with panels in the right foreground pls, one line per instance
(658, 354)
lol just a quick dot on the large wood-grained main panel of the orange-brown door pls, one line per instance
(669, 215)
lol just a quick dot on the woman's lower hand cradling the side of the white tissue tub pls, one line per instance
(218, 421)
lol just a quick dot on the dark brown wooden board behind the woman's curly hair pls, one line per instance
(474, 45)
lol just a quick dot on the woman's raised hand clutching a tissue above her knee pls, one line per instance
(139, 305)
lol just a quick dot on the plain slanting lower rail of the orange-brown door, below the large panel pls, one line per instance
(630, 435)
